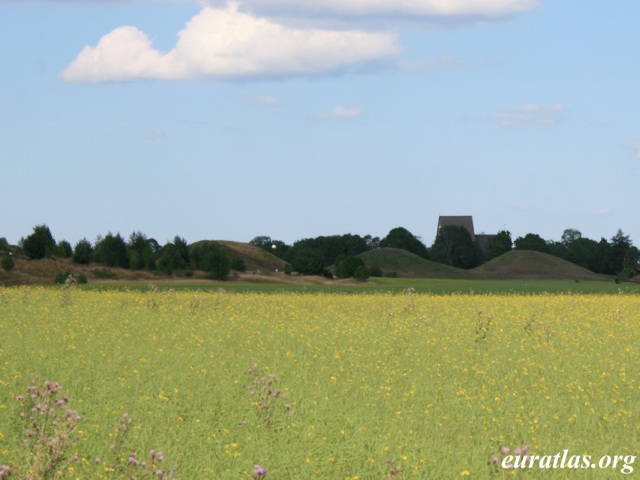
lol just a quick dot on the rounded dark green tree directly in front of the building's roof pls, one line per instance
(454, 246)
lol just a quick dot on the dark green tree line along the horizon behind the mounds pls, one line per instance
(313, 256)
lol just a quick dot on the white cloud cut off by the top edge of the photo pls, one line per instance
(426, 8)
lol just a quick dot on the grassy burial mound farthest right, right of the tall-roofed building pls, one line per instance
(534, 265)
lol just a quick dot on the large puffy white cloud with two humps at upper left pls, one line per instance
(225, 43)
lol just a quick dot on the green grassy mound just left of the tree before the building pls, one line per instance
(404, 264)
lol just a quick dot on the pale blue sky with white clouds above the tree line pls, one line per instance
(300, 118)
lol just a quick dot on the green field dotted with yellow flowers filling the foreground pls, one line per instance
(321, 386)
